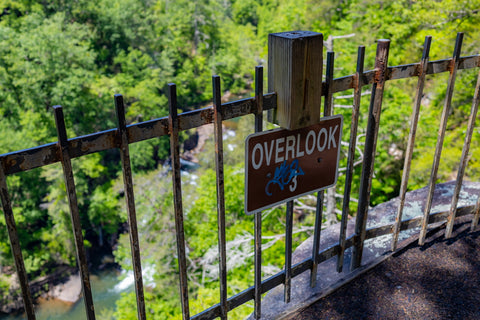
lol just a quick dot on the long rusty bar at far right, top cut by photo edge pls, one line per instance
(464, 159)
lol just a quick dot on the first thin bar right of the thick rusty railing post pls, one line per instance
(411, 138)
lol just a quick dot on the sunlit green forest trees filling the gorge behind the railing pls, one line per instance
(78, 54)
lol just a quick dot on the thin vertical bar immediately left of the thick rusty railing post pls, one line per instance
(357, 95)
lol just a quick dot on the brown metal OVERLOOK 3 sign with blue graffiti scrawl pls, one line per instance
(283, 165)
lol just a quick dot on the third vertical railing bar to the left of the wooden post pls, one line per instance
(177, 199)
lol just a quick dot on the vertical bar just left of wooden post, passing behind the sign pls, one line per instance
(258, 215)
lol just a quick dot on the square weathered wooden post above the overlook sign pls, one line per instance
(295, 61)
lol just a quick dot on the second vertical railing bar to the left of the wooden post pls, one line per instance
(217, 109)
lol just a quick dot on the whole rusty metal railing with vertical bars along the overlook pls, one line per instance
(121, 137)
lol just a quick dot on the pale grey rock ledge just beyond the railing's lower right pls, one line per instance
(273, 306)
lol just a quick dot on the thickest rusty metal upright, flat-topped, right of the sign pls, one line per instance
(381, 61)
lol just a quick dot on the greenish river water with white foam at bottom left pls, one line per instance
(107, 288)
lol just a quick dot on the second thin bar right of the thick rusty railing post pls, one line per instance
(441, 136)
